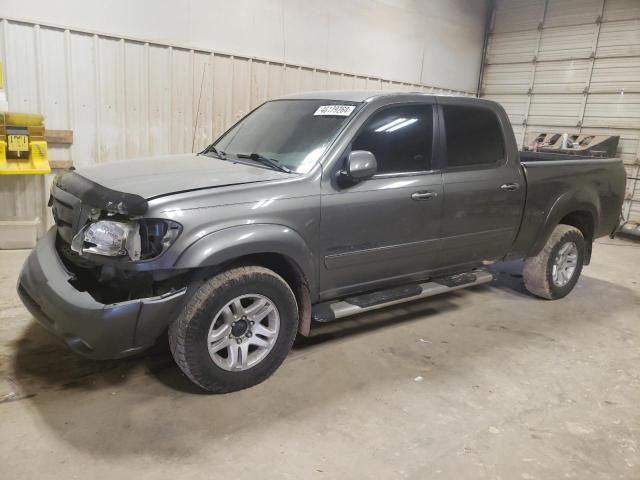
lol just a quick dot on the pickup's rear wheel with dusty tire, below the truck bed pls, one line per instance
(538, 271)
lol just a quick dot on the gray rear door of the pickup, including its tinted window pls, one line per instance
(484, 189)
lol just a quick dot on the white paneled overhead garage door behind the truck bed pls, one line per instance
(570, 66)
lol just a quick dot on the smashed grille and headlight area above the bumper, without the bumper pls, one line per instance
(105, 240)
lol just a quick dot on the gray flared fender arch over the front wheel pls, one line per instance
(235, 242)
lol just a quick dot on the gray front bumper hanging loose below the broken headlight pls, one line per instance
(91, 328)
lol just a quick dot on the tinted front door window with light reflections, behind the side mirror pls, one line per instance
(400, 138)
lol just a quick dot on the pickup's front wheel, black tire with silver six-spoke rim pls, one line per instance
(212, 309)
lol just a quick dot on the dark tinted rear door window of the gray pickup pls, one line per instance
(474, 136)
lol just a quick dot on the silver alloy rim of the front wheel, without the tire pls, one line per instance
(243, 332)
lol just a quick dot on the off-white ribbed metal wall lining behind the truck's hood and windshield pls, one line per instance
(127, 98)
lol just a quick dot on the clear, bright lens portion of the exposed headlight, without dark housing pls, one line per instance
(109, 238)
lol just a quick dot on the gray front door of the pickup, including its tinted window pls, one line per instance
(384, 230)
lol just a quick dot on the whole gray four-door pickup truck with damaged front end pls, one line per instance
(312, 207)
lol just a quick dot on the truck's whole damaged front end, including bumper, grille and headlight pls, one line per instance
(98, 279)
